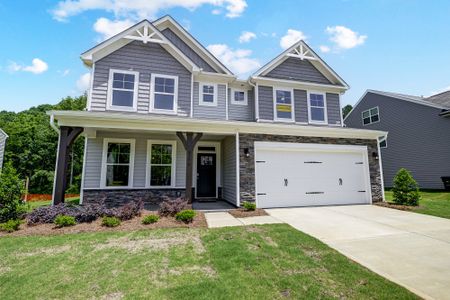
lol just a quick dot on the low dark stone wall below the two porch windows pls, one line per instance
(118, 197)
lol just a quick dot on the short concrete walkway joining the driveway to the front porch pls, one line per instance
(224, 219)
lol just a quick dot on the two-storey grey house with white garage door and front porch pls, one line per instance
(165, 115)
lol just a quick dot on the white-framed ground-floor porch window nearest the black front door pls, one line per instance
(161, 163)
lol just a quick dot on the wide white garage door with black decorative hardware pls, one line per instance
(291, 174)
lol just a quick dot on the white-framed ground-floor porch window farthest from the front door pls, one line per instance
(118, 160)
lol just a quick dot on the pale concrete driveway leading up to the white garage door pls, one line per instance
(410, 249)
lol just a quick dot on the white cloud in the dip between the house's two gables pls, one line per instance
(239, 60)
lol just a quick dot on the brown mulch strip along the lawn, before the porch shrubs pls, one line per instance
(130, 225)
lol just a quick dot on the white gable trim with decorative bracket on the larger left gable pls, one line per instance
(143, 31)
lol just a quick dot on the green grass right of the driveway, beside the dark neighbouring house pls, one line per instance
(435, 203)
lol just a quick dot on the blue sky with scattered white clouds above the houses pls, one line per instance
(393, 45)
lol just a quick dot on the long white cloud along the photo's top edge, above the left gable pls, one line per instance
(141, 9)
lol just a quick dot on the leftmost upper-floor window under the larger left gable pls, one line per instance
(122, 91)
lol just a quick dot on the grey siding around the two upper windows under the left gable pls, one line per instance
(146, 59)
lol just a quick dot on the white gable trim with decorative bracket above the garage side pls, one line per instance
(302, 51)
